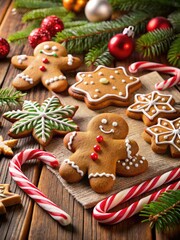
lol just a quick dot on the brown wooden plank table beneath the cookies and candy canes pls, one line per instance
(27, 220)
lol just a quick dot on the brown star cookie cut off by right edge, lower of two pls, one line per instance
(163, 136)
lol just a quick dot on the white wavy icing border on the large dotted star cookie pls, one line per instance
(107, 95)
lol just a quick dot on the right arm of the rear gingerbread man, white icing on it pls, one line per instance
(69, 63)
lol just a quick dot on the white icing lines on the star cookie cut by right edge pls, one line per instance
(170, 131)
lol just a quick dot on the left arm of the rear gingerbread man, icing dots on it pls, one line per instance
(22, 61)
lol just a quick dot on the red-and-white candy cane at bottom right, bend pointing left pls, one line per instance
(100, 211)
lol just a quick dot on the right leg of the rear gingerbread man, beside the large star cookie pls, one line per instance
(54, 80)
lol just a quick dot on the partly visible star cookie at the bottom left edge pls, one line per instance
(7, 198)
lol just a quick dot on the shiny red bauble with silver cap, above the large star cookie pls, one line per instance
(122, 45)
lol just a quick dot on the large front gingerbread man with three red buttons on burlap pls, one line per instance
(96, 152)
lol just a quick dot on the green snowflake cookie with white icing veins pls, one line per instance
(43, 121)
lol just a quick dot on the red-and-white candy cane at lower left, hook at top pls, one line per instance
(29, 188)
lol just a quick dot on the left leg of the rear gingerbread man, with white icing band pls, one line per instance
(26, 79)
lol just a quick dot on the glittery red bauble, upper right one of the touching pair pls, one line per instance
(53, 24)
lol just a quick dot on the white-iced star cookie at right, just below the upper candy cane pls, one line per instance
(149, 107)
